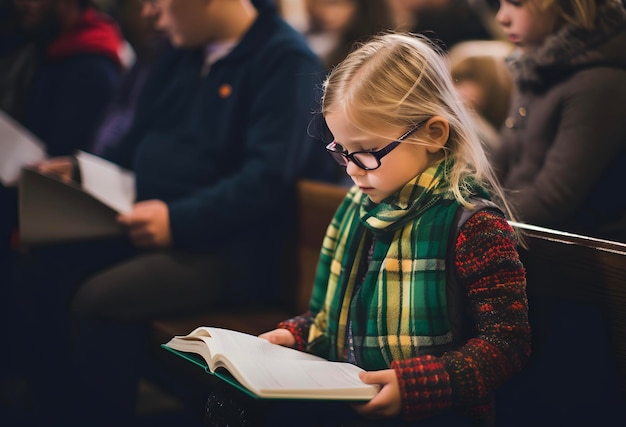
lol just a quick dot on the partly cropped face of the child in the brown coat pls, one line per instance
(525, 23)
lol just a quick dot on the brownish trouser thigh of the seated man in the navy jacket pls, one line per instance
(150, 285)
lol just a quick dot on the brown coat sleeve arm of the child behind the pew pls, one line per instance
(589, 135)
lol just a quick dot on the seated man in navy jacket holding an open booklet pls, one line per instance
(218, 140)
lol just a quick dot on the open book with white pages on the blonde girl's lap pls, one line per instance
(265, 370)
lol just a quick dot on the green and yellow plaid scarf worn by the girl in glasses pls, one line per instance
(398, 310)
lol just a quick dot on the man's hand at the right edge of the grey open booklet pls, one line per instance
(148, 224)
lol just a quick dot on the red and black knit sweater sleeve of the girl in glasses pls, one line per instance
(489, 269)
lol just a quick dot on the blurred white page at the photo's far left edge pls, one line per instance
(18, 148)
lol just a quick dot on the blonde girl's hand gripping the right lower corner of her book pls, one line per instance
(387, 403)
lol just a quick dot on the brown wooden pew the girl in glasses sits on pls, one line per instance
(558, 264)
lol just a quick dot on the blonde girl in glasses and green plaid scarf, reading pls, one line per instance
(432, 306)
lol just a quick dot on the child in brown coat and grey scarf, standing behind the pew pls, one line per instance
(563, 148)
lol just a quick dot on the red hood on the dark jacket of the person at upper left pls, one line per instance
(94, 33)
